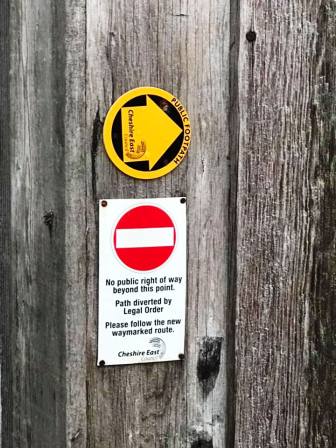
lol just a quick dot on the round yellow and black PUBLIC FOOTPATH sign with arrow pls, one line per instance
(147, 133)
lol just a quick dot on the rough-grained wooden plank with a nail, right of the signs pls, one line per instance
(285, 339)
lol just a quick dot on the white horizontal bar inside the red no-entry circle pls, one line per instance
(151, 237)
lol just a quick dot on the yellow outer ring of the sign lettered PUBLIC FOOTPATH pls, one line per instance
(107, 133)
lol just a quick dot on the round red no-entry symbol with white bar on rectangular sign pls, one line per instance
(140, 248)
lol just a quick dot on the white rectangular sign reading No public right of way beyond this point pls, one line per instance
(142, 280)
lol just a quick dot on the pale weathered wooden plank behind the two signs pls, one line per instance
(182, 47)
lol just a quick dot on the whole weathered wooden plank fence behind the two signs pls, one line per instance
(258, 80)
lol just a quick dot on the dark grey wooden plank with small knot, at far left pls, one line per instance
(36, 416)
